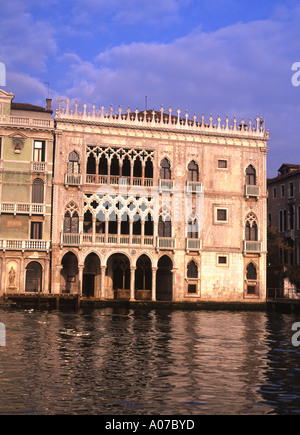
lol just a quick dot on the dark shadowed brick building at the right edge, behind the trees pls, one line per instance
(284, 217)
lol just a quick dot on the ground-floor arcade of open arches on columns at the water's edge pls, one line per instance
(117, 279)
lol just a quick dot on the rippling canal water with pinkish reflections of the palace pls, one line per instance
(119, 361)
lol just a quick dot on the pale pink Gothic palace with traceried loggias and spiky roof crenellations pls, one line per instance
(147, 205)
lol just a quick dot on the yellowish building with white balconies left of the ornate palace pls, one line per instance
(26, 156)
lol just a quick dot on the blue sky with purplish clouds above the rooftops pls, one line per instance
(227, 57)
